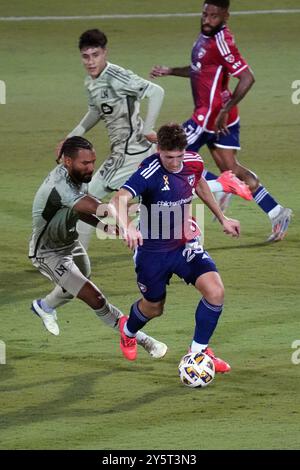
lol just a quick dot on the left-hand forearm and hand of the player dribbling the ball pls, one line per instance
(118, 207)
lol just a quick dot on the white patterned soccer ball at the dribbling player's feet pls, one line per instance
(196, 370)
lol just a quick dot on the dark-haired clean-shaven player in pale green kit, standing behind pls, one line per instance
(114, 96)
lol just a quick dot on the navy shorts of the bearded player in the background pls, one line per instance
(197, 138)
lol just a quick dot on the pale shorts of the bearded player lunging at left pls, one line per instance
(69, 268)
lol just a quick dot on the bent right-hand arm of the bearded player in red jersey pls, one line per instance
(246, 80)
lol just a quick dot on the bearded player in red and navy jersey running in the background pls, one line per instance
(215, 120)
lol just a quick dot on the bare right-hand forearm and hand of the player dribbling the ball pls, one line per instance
(230, 226)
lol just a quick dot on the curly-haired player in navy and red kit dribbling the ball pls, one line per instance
(166, 182)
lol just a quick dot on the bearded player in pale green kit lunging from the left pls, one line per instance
(61, 200)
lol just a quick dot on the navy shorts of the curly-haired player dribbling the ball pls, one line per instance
(155, 269)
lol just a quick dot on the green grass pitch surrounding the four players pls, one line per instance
(75, 391)
